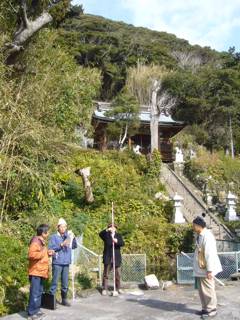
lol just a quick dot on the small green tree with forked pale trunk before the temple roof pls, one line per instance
(125, 111)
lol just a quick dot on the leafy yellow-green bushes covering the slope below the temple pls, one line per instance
(123, 178)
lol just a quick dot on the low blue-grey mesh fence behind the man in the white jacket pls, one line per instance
(230, 263)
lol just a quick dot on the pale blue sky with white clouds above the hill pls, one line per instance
(213, 23)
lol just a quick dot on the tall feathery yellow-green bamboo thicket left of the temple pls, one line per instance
(39, 110)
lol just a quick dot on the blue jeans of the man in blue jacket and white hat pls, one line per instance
(57, 272)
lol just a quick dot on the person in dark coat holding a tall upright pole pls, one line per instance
(112, 258)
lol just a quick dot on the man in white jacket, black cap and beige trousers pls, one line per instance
(206, 265)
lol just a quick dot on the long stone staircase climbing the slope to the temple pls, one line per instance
(193, 205)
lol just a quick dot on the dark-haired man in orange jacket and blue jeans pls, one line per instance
(37, 270)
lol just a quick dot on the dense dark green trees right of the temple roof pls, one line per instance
(208, 98)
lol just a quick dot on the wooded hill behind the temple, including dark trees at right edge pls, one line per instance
(204, 82)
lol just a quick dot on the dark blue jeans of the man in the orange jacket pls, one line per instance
(35, 297)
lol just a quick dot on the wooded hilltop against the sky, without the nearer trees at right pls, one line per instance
(115, 46)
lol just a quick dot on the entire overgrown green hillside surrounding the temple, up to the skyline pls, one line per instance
(49, 86)
